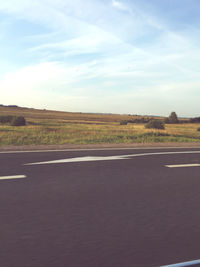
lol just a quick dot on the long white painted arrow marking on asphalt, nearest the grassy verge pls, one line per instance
(118, 157)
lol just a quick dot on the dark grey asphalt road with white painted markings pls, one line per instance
(103, 208)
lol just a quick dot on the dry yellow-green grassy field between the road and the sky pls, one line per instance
(52, 127)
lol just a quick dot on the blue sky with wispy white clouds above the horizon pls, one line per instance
(103, 56)
